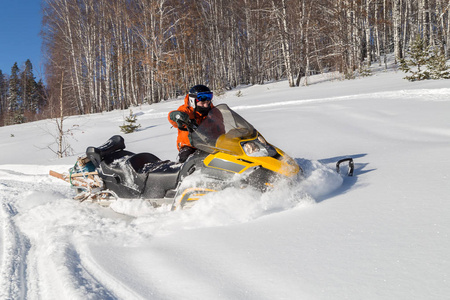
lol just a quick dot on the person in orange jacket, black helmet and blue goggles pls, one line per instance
(197, 104)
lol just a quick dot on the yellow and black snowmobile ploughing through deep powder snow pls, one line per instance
(230, 153)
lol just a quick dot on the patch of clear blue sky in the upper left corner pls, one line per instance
(20, 24)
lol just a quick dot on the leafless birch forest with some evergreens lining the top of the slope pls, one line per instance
(112, 54)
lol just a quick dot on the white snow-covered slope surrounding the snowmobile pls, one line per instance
(382, 234)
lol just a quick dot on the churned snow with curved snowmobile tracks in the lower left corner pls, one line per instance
(34, 266)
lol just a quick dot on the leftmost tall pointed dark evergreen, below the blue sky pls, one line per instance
(15, 109)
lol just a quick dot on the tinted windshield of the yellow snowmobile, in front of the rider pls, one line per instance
(221, 122)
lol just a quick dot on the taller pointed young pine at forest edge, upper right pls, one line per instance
(418, 59)
